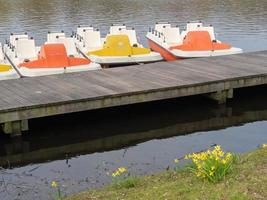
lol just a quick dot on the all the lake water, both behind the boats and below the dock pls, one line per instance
(78, 150)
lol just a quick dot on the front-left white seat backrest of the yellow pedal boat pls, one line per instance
(92, 40)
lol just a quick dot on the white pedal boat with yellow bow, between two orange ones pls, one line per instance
(120, 46)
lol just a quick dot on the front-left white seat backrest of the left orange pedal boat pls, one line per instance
(25, 48)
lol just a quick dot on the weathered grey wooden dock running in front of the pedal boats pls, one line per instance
(217, 77)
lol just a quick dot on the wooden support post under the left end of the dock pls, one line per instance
(15, 128)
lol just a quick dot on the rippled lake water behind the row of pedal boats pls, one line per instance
(242, 23)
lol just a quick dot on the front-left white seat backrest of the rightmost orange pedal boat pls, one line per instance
(172, 35)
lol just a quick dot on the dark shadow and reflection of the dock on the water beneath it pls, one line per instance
(118, 128)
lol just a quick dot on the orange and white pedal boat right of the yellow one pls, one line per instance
(196, 41)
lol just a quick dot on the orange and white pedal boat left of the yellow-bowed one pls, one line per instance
(51, 58)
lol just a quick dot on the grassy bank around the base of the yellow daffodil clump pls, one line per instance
(247, 181)
